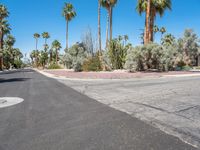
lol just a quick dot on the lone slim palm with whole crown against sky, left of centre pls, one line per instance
(69, 13)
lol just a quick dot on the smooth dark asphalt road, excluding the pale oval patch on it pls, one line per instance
(56, 117)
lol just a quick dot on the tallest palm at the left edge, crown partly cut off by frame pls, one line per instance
(3, 14)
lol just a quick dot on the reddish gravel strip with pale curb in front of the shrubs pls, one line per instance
(115, 74)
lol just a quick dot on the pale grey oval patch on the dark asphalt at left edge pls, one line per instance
(9, 101)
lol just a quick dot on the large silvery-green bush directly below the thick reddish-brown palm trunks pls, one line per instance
(152, 57)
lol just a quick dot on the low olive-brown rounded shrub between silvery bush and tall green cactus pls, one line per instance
(92, 64)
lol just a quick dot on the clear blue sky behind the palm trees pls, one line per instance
(30, 16)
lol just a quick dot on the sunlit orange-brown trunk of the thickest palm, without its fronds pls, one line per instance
(148, 12)
